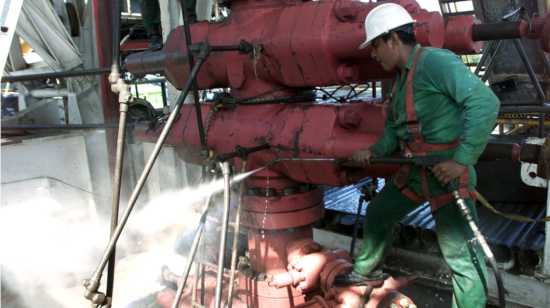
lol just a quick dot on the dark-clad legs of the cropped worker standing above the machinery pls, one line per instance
(150, 15)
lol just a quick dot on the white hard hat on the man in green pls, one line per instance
(384, 18)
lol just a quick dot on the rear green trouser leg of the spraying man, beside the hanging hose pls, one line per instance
(464, 256)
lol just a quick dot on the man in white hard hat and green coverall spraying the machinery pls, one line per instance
(436, 106)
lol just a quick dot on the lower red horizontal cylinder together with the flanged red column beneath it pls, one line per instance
(292, 130)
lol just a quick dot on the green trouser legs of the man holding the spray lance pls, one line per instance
(460, 249)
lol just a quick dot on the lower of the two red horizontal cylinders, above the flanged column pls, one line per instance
(300, 130)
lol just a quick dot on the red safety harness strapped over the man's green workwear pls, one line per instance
(420, 147)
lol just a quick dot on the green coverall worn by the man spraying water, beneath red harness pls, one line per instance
(450, 103)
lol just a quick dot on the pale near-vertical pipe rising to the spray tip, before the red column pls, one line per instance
(226, 170)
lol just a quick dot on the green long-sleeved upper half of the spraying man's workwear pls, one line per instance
(450, 103)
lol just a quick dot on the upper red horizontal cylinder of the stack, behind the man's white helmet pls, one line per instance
(305, 44)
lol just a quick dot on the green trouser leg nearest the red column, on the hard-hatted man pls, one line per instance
(387, 208)
